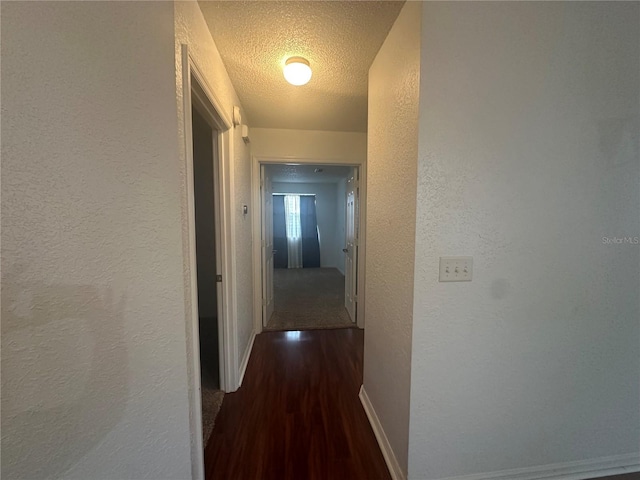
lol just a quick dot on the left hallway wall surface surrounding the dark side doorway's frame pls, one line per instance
(191, 29)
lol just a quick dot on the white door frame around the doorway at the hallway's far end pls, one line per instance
(256, 162)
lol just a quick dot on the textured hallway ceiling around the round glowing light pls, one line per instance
(339, 38)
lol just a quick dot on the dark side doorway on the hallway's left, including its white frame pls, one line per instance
(207, 163)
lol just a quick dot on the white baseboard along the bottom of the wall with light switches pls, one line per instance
(580, 470)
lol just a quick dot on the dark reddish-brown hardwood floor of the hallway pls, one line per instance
(297, 415)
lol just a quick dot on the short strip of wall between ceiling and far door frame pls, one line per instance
(273, 142)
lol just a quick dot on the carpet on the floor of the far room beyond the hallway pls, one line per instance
(308, 298)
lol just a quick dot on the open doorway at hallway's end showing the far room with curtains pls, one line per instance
(309, 256)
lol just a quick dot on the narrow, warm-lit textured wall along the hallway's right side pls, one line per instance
(391, 203)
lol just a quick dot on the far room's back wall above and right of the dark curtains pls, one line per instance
(326, 208)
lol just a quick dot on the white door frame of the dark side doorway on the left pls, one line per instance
(200, 93)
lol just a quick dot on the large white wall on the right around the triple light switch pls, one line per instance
(529, 156)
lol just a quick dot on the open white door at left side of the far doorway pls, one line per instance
(267, 245)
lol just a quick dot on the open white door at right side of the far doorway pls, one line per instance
(351, 249)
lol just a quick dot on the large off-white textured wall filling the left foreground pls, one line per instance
(94, 379)
